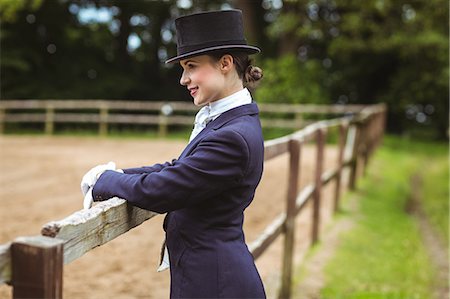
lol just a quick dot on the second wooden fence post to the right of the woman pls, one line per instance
(320, 137)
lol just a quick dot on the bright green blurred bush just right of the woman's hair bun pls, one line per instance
(287, 80)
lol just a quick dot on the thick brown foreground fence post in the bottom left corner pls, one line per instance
(37, 267)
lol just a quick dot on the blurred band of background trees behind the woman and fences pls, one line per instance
(314, 51)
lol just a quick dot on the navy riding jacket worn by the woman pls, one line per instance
(205, 192)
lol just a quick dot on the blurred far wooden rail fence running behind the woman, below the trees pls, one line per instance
(105, 113)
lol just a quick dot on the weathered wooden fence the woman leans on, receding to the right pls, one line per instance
(33, 265)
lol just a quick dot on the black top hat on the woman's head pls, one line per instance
(209, 31)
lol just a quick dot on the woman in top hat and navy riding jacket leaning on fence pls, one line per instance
(206, 190)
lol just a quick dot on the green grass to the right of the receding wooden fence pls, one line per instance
(383, 256)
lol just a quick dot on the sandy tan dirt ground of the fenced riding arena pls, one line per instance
(40, 181)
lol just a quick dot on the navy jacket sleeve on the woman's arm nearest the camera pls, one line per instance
(218, 163)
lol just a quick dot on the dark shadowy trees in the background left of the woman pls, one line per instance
(48, 52)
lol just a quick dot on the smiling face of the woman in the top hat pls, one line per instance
(204, 79)
